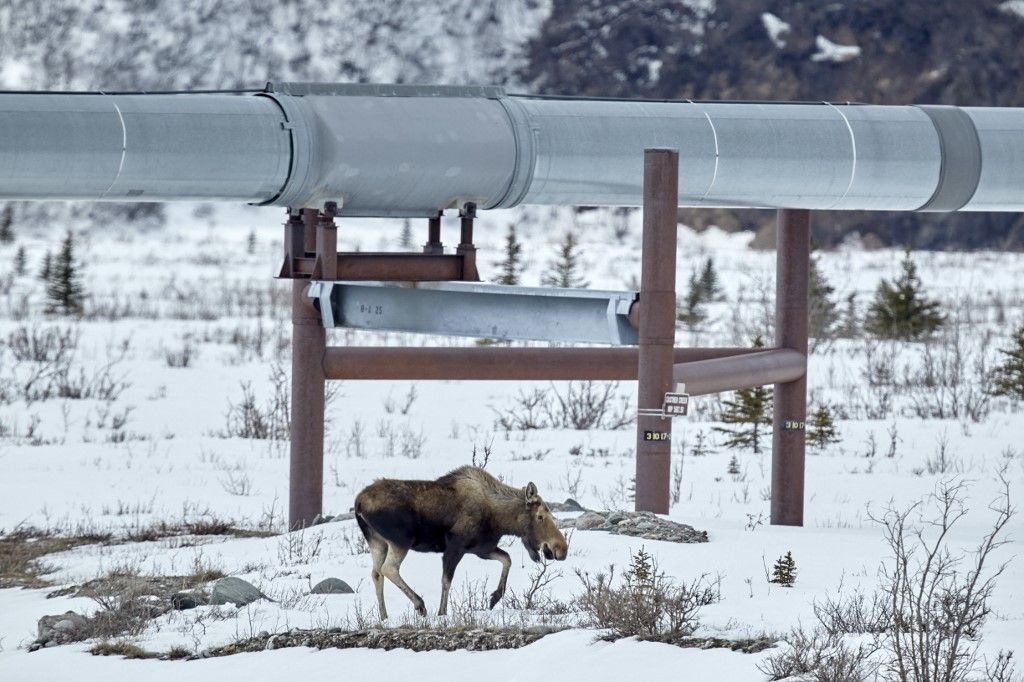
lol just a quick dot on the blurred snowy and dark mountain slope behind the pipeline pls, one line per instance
(917, 52)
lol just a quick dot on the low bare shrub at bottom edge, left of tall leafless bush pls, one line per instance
(821, 657)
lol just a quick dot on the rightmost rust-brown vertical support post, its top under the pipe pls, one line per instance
(792, 265)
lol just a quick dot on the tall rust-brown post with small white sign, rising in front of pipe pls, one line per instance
(658, 327)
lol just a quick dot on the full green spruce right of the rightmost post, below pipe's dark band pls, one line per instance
(901, 310)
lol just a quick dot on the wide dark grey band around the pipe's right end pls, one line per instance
(960, 169)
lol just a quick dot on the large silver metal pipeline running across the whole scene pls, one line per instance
(412, 151)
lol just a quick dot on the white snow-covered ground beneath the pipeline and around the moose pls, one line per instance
(157, 453)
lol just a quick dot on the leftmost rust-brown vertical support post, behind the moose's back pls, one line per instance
(306, 493)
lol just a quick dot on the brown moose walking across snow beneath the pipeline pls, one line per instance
(466, 511)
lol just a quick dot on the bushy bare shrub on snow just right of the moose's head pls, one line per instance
(646, 604)
